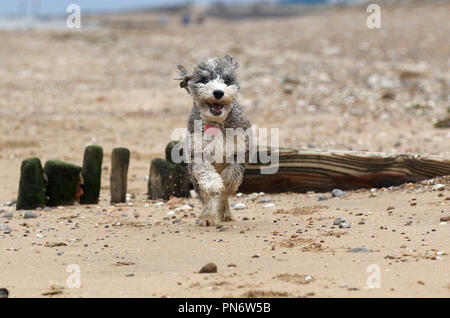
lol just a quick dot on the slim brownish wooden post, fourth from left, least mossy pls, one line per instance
(120, 159)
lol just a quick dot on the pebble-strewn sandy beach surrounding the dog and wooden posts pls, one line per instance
(326, 80)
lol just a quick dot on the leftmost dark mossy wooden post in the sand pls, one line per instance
(31, 186)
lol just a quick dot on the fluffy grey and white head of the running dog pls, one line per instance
(213, 86)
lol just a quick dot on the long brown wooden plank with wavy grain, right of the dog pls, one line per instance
(302, 170)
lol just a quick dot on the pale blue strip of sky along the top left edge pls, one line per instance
(58, 7)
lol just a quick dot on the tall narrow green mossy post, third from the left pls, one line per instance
(92, 174)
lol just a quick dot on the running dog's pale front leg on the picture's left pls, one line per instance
(210, 186)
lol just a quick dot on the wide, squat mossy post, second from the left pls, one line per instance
(63, 182)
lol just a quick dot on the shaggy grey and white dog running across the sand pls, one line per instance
(214, 88)
